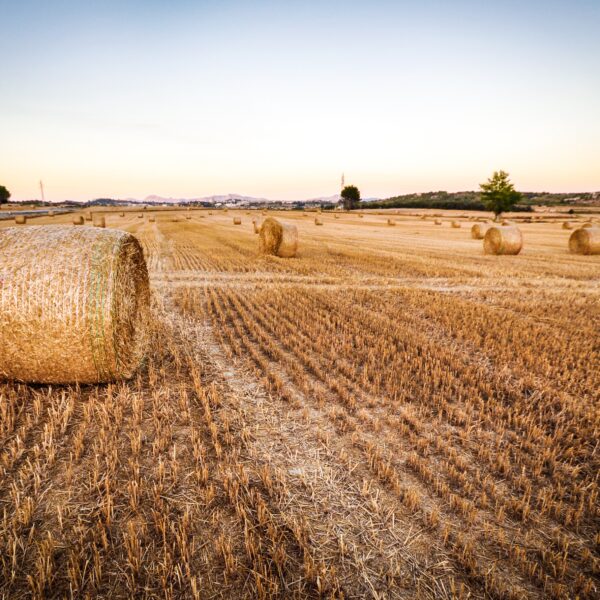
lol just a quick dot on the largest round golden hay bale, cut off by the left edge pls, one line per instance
(73, 304)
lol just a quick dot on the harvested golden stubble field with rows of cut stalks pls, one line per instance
(390, 414)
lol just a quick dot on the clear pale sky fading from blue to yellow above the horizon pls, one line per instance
(277, 99)
